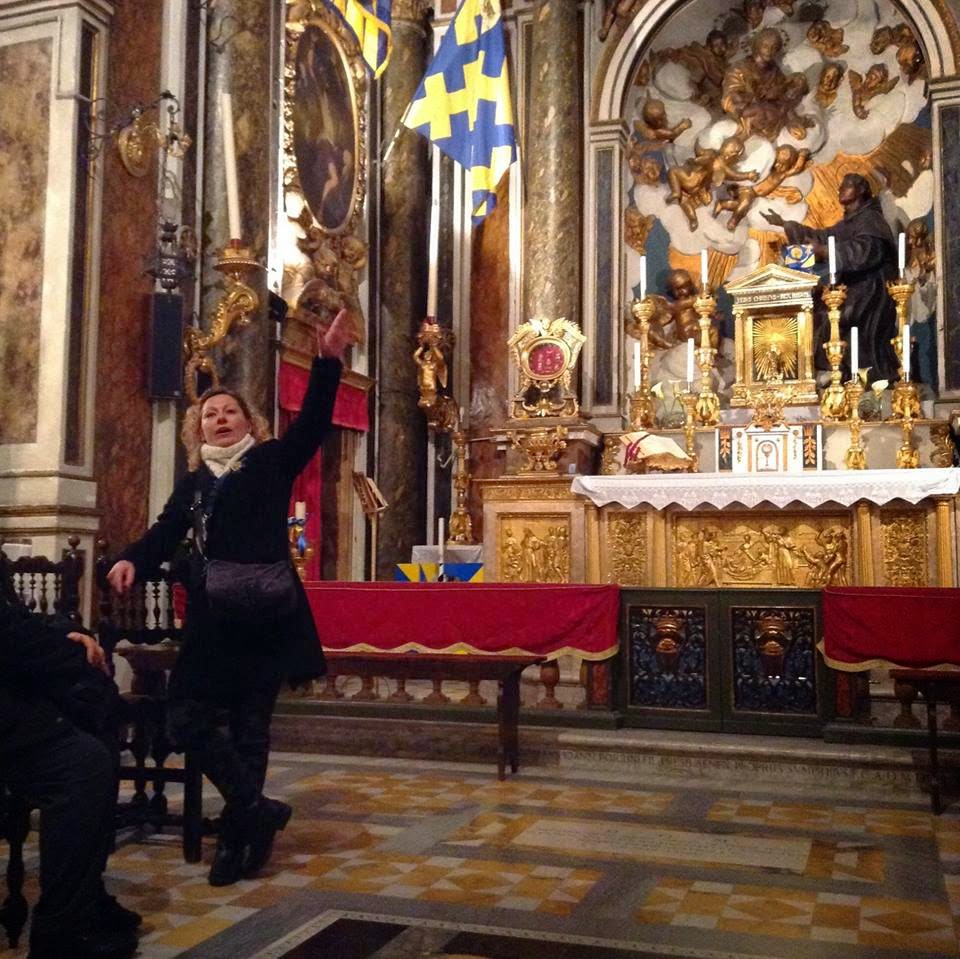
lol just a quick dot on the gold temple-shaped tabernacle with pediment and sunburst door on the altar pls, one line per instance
(773, 317)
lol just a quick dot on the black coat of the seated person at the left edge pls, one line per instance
(37, 663)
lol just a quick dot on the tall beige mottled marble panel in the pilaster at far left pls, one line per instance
(25, 78)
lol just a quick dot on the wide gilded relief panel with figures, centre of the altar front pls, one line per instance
(761, 550)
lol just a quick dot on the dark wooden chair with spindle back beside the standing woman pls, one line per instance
(145, 618)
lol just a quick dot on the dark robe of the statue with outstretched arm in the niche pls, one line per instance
(866, 259)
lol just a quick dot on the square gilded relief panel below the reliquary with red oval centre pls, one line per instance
(533, 548)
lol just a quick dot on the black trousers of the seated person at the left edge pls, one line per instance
(72, 779)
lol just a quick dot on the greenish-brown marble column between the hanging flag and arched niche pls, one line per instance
(552, 212)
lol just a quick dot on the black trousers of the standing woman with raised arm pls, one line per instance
(230, 739)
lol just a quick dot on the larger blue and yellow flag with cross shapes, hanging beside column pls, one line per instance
(463, 103)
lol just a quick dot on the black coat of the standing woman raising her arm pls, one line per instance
(248, 524)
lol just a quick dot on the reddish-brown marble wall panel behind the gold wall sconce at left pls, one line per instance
(123, 413)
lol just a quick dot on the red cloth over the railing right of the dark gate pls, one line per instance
(869, 627)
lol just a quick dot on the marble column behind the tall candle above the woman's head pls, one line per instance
(239, 62)
